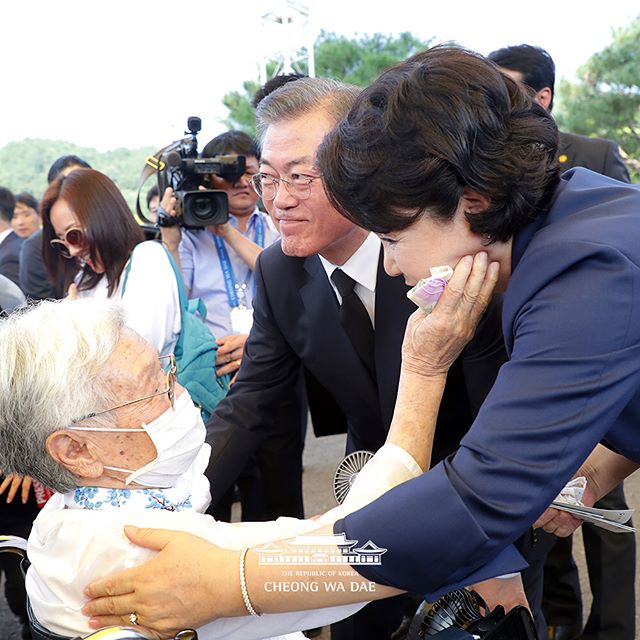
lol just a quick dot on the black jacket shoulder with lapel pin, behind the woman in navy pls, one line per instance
(598, 154)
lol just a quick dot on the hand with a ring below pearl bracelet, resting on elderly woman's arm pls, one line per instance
(185, 586)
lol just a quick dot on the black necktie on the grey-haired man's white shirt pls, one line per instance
(355, 319)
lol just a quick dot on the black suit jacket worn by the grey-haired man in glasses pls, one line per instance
(296, 325)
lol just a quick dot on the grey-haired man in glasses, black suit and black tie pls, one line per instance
(297, 326)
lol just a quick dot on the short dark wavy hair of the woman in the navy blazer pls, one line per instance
(441, 121)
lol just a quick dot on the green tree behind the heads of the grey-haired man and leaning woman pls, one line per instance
(356, 61)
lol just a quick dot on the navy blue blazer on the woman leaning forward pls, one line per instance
(571, 322)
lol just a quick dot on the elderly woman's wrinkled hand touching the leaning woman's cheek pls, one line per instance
(432, 342)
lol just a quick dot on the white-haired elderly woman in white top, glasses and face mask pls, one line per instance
(88, 409)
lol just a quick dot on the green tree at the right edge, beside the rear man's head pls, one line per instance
(605, 101)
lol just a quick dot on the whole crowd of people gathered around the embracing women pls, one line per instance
(348, 197)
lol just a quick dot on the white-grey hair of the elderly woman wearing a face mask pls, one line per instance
(52, 356)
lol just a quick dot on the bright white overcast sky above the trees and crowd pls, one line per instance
(130, 72)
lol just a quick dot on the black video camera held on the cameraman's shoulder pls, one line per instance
(179, 167)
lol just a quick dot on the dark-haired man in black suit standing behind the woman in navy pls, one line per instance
(610, 557)
